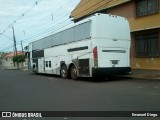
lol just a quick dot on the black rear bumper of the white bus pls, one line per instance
(111, 71)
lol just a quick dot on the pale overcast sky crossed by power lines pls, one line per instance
(32, 21)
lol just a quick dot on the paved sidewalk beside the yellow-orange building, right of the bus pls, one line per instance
(146, 74)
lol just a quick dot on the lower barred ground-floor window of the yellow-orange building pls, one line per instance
(147, 45)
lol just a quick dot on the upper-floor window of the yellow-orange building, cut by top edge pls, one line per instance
(145, 7)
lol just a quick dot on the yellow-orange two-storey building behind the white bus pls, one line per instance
(144, 20)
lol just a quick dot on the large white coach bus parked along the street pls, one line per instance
(96, 46)
